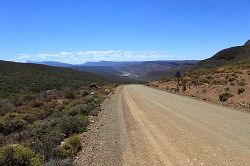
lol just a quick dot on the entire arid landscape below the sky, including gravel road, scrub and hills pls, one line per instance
(61, 114)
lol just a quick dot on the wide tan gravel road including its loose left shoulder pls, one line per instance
(149, 127)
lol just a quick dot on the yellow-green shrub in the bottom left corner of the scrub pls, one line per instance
(15, 154)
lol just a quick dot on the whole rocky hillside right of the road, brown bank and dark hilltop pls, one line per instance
(224, 78)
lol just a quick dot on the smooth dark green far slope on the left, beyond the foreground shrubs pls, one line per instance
(20, 77)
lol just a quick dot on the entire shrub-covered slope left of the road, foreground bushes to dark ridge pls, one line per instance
(42, 111)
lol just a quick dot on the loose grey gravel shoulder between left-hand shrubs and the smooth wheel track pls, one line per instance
(101, 144)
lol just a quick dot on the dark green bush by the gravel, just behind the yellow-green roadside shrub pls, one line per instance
(73, 124)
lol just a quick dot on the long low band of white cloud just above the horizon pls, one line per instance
(84, 56)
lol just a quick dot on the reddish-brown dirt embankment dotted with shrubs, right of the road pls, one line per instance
(224, 88)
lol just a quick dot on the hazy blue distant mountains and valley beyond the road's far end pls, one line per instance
(129, 69)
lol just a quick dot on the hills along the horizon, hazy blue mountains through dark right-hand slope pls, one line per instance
(155, 70)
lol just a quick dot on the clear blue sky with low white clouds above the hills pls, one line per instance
(75, 31)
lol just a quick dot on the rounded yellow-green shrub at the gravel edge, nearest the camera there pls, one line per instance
(70, 147)
